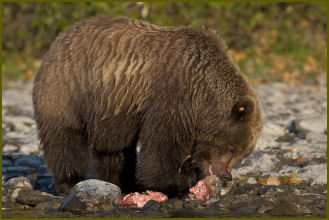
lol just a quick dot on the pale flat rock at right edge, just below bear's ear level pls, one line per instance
(315, 124)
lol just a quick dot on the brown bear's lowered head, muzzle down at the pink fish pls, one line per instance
(228, 130)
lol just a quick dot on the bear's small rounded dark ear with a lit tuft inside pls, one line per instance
(243, 109)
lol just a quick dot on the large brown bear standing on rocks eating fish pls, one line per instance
(107, 83)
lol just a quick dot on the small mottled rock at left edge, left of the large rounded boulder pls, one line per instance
(14, 185)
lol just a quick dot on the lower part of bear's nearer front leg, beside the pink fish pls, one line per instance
(159, 169)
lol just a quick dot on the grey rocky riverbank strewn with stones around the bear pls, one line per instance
(285, 176)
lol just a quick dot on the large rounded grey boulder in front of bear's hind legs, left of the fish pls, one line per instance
(92, 195)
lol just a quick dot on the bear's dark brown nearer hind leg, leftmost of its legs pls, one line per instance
(67, 156)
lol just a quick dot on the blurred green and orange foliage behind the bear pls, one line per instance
(269, 41)
